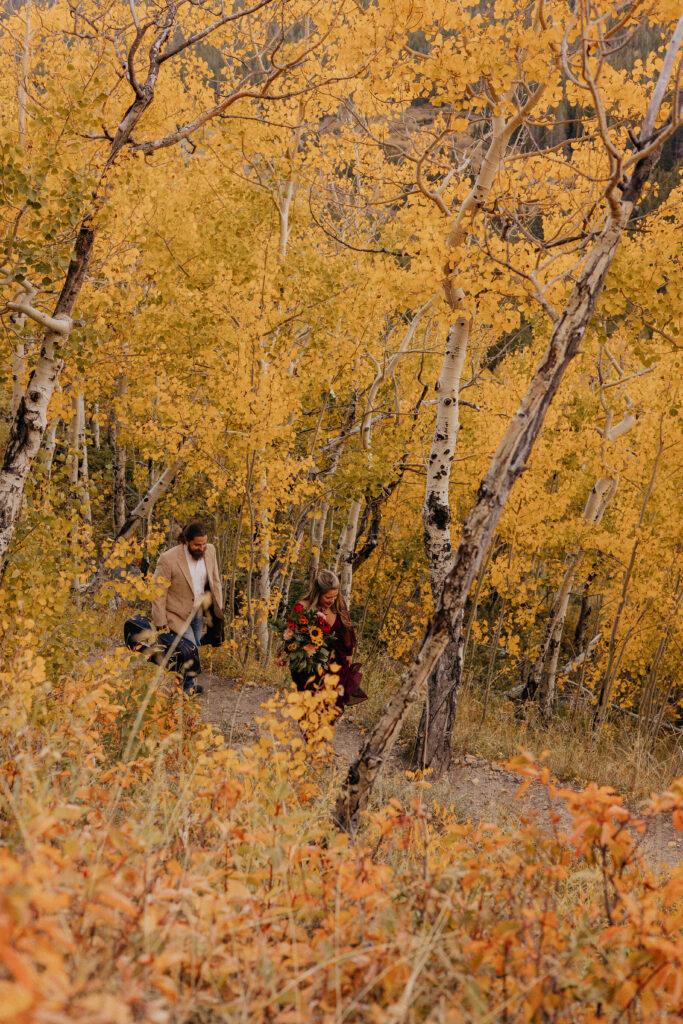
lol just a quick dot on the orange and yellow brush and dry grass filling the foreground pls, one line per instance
(151, 873)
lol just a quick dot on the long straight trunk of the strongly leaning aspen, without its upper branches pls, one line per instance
(507, 465)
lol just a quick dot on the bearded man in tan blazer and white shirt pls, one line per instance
(192, 572)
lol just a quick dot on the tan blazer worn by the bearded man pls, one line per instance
(174, 608)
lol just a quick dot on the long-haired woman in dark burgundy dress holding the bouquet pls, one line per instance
(324, 595)
